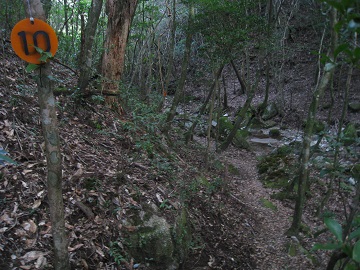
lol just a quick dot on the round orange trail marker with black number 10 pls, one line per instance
(26, 35)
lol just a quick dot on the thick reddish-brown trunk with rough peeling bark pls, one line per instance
(120, 15)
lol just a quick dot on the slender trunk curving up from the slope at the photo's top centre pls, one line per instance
(184, 68)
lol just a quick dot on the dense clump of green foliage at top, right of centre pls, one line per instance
(227, 26)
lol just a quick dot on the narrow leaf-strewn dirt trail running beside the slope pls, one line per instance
(268, 226)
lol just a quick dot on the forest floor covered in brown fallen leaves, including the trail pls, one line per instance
(104, 168)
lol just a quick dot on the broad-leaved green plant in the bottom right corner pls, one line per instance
(348, 247)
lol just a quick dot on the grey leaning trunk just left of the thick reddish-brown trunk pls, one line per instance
(89, 36)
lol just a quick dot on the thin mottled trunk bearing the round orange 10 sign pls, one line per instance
(53, 156)
